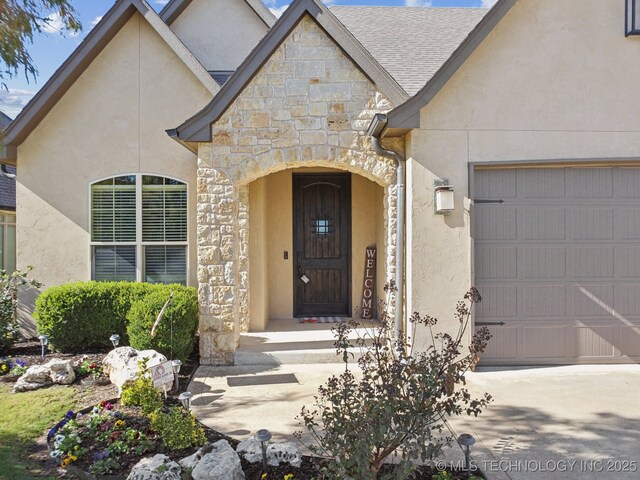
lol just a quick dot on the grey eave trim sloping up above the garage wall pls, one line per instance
(407, 116)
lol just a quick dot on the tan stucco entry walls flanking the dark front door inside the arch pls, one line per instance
(271, 208)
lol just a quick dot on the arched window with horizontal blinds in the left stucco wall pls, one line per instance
(139, 229)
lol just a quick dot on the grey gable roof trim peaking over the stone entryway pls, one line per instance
(197, 128)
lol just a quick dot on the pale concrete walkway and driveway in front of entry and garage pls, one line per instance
(545, 423)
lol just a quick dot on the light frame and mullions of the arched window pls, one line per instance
(139, 244)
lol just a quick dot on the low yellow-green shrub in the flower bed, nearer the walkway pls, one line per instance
(177, 428)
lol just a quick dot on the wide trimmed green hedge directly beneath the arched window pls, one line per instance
(81, 316)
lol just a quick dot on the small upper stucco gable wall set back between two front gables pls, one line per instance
(220, 33)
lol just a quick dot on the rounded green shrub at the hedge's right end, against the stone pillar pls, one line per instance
(175, 334)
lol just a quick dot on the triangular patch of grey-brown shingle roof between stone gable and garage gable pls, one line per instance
(411, 43)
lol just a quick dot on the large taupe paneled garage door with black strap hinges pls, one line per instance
(557, 260)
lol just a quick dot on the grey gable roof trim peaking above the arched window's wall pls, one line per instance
(81, 58)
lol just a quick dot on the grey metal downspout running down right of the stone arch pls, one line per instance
(375, 129)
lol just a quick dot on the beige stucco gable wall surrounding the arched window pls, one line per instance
(110, 122)
